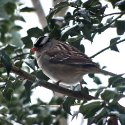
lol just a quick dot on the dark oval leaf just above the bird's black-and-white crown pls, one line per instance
(35, 32)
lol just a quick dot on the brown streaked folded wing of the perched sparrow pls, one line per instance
(70, 56)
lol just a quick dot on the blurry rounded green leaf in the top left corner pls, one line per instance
(10, 7)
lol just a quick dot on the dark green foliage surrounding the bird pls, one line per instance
(85, 22)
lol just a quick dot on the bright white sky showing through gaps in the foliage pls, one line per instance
(114, 61)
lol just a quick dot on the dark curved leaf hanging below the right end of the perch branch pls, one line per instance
(68, 103)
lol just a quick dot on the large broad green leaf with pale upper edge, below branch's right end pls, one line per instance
(90, 109)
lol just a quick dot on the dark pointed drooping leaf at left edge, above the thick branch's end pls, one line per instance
(5, 59)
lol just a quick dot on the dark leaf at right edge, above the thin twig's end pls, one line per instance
(120, 24)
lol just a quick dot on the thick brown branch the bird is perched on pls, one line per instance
(54, 87)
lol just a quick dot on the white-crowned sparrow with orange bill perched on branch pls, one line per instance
(63, 62)
